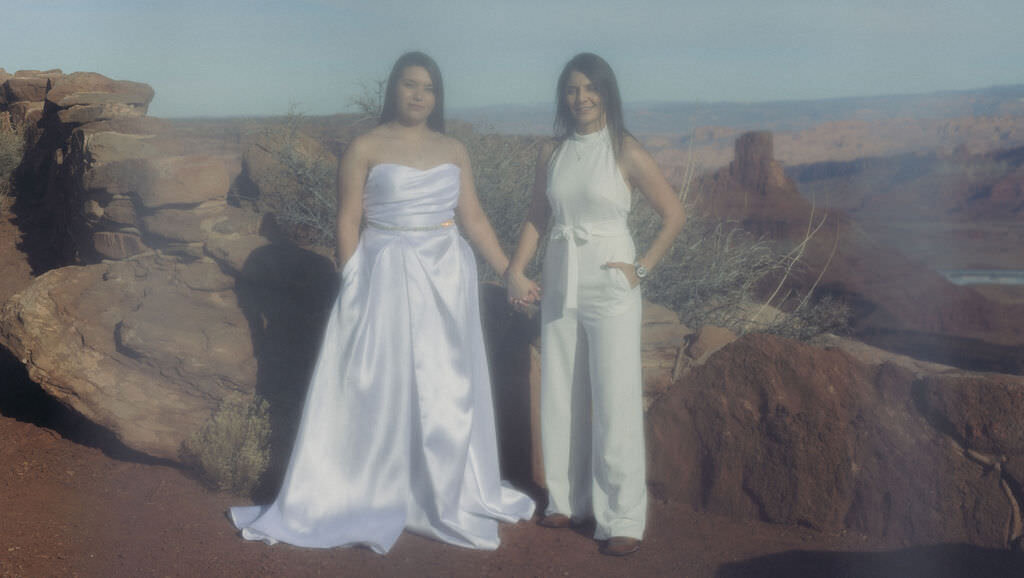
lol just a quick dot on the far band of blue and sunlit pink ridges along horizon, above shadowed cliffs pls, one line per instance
(805, 132)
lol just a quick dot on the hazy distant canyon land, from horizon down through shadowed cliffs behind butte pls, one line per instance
(935, 176)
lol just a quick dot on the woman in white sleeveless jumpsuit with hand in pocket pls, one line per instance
(591, 405)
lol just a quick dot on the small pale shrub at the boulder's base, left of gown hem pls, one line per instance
(233, 450)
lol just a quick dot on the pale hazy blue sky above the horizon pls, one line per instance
(257, 58)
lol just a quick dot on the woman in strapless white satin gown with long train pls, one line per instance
(399, 430)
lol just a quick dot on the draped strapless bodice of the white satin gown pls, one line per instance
(402, 196)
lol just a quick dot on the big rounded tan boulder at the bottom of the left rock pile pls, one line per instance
(132, 347)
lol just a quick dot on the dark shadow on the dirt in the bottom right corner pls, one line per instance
(944, 561)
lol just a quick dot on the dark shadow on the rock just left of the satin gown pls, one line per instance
(286, 294)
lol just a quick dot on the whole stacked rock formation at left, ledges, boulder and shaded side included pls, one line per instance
(192, 310)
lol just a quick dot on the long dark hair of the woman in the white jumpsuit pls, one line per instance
(604, 79)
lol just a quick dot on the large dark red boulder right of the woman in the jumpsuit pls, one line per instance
(782, 432)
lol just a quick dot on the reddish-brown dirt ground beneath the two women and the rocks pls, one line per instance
(74, 503)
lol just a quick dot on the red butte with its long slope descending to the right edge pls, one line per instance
(888, 292)
